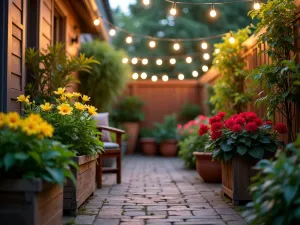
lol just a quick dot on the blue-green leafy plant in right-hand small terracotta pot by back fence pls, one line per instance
(167, 129)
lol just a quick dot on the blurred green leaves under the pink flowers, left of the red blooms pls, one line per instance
(191, 144)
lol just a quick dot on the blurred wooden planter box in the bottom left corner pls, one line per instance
(30, 202)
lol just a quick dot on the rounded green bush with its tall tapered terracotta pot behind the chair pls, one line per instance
(129, 114)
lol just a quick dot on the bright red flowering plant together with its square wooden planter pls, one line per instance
(239, 142)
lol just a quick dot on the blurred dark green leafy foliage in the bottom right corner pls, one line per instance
(276, 190)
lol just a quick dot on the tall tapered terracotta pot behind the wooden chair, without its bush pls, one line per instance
(132, 129)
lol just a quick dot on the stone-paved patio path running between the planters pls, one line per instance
(159, 191)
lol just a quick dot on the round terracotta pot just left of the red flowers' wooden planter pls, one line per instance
(208, 170)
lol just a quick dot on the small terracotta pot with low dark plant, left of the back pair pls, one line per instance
(148, 142)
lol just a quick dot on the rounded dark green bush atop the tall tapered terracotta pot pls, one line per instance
(129, 110)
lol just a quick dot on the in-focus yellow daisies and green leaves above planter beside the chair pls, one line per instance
(72, 119)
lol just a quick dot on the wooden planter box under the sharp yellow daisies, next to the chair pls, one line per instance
(86, 184)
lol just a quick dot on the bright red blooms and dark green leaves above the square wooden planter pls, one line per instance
(242, 134)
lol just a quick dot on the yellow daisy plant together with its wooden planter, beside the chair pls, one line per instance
(75, 126)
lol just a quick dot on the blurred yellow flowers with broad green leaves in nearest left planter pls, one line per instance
(27, 152)
